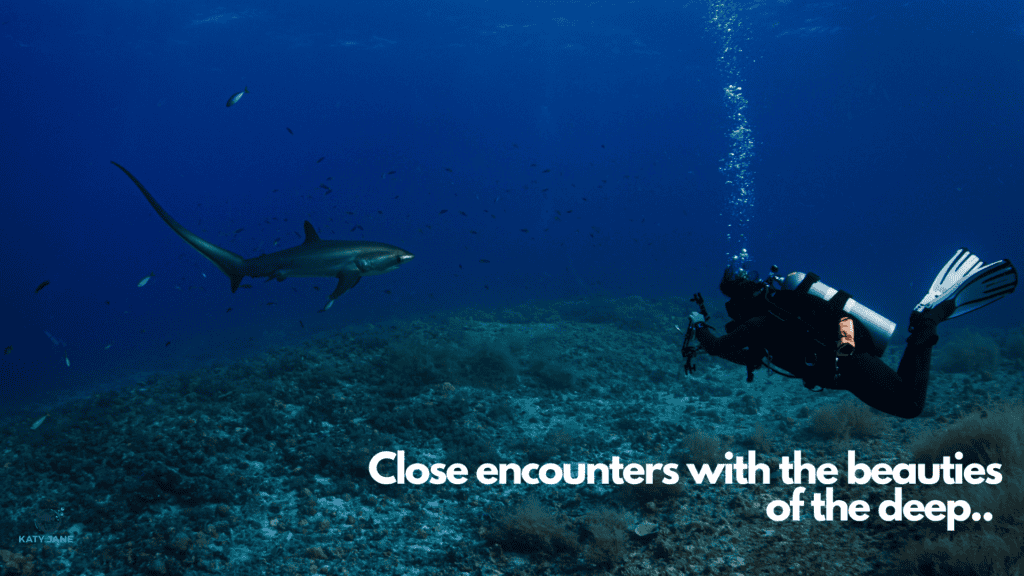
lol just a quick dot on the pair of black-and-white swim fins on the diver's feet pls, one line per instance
(968, 284)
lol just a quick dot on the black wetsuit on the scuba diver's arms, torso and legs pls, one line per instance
(901, 393)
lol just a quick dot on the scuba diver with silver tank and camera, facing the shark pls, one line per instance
(799, 327)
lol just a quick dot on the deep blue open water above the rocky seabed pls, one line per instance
(880, 138)
